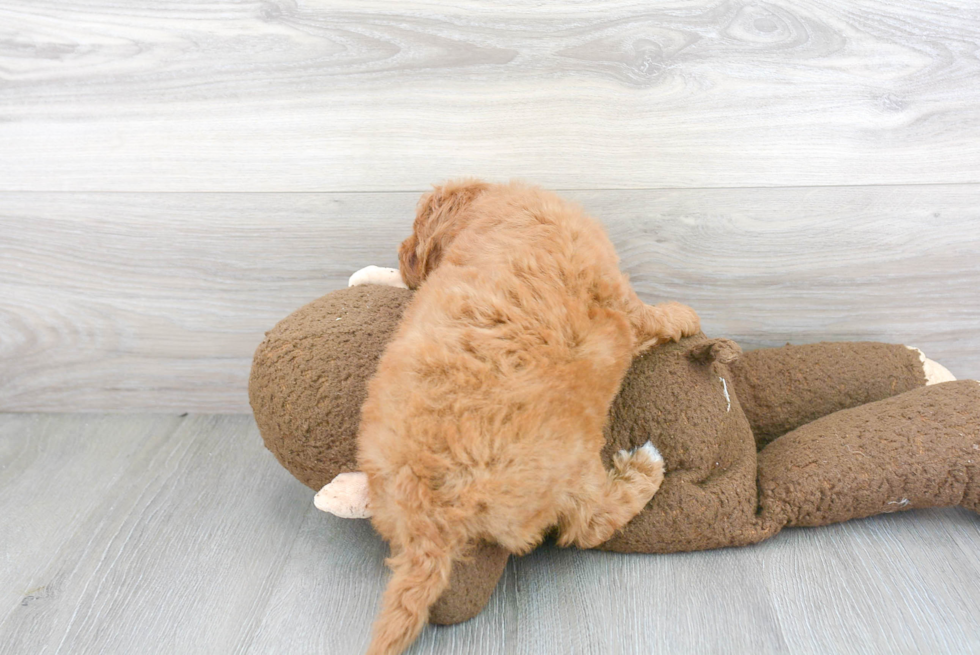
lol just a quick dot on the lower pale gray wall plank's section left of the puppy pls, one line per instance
(158, 301)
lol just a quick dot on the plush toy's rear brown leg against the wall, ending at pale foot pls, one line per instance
(781, 389)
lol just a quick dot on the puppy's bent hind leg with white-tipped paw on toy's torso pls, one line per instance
(607, 503)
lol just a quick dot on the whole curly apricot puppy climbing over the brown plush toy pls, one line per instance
(484, 420)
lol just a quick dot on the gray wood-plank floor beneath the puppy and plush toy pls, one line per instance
(159, 534)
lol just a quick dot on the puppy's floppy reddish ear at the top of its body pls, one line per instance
(439, 216)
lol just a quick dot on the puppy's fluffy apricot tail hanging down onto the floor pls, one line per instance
(420, 565)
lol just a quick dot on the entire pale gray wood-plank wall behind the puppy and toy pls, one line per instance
(797, 171)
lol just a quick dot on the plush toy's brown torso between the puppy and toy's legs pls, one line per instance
(674, 396)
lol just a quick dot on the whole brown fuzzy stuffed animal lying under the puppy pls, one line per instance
(793, 436)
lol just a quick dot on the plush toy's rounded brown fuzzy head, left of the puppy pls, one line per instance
(309, 378)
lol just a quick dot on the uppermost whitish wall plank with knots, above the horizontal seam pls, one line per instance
(319, 95)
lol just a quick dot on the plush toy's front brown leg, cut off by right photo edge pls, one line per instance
(918, 449)
